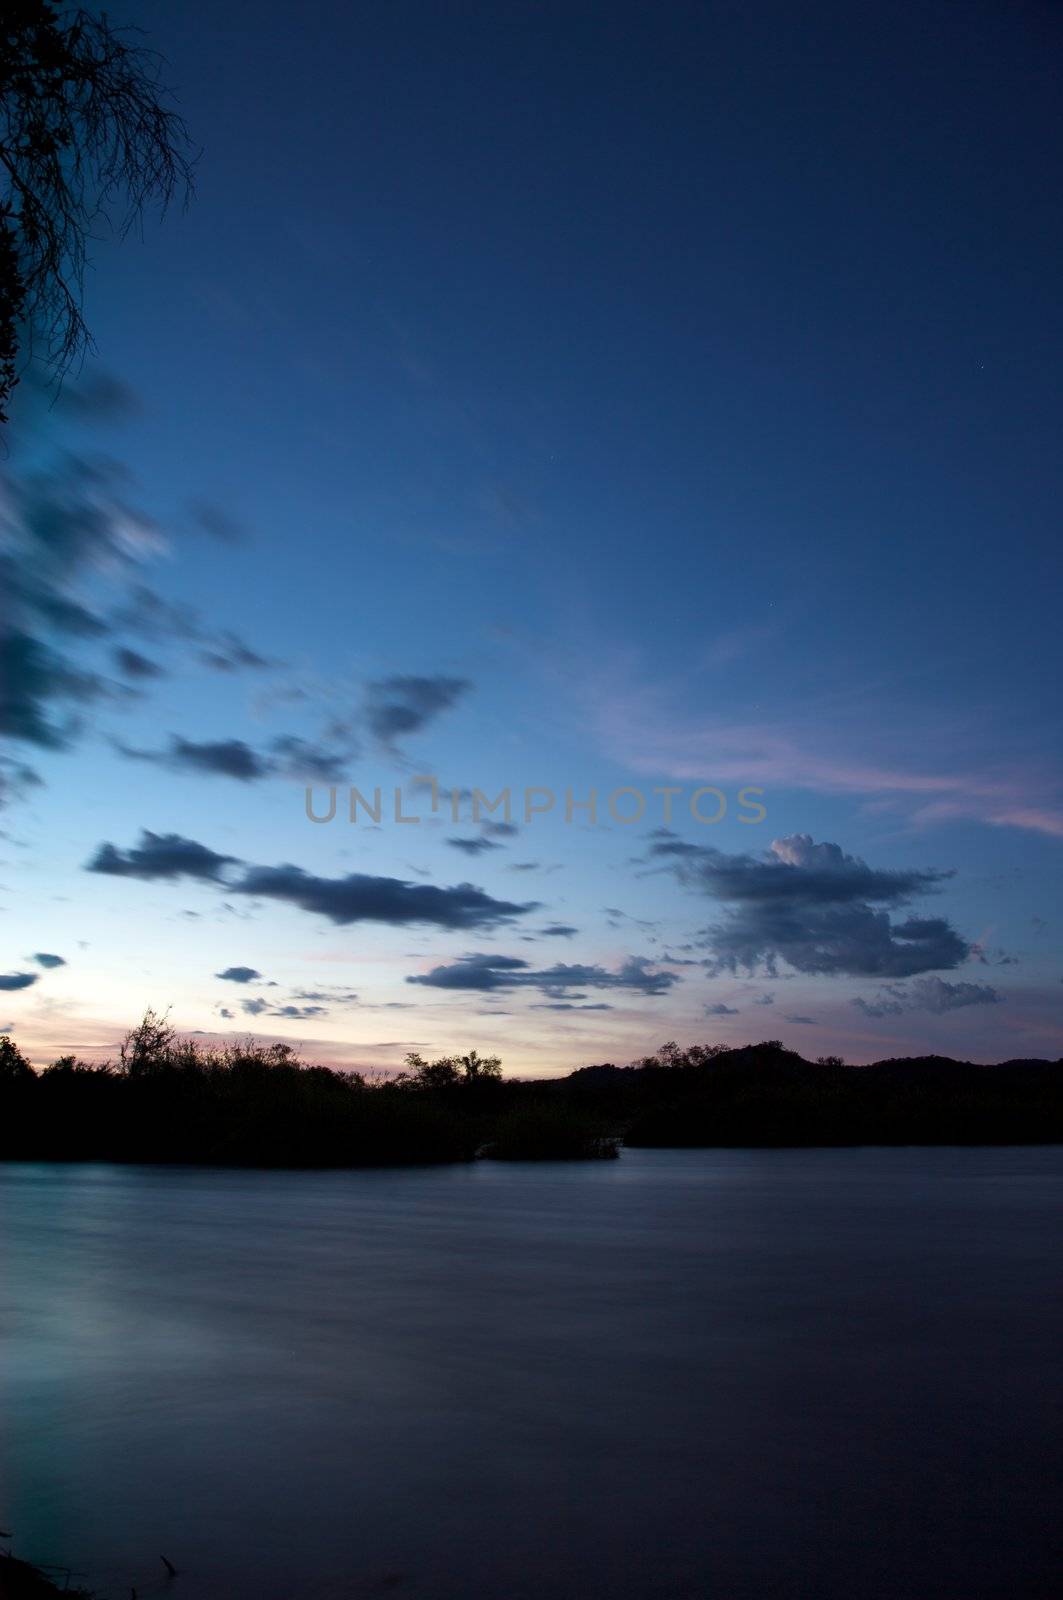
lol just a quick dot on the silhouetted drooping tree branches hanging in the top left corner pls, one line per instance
(86, 135)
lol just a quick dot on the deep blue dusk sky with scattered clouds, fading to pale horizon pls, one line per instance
(659, 402)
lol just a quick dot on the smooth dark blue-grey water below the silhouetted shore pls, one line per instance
(824, 1374)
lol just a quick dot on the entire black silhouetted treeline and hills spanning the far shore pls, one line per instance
(174, 1100)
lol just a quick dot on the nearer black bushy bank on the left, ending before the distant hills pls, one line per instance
(249, 1105)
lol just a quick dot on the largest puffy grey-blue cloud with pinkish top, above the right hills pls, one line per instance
(816, 908)
